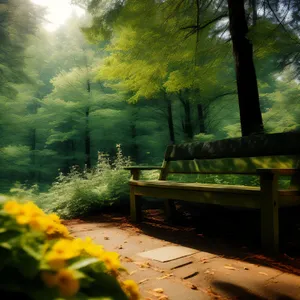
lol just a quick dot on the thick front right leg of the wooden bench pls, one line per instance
(269, 213)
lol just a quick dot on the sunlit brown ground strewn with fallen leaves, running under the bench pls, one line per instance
(229, 263)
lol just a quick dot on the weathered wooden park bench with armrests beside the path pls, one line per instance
(266, 156)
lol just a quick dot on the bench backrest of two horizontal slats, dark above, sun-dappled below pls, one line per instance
(233, 156)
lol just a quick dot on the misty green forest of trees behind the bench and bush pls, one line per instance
(142, 75)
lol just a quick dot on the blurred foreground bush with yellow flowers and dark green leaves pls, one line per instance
(39, 260)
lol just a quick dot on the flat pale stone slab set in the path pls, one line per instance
(168, 253)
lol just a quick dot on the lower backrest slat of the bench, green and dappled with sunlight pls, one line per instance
(237, 166)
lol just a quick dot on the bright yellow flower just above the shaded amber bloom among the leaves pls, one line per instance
(60, 252)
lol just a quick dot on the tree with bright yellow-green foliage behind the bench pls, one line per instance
(152, 58)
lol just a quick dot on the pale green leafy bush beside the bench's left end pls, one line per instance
(81, 193)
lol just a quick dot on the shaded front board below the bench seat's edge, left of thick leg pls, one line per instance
(214, 197)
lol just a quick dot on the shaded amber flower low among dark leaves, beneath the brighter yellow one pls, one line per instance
(64, 279)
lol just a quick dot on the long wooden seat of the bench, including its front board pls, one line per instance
(241, 196)
